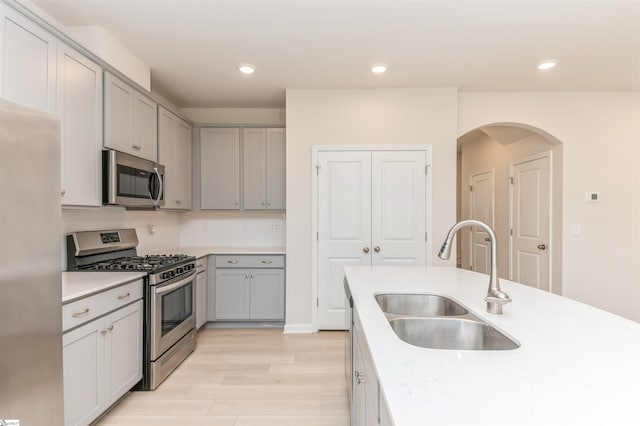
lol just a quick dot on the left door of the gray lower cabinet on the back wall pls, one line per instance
(232, 294)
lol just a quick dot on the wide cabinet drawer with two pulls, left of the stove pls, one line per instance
(89, 308)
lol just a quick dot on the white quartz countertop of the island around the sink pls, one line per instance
(577, 365)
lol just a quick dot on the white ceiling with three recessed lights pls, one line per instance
(194, 46)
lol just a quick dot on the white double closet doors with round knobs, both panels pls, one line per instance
(371, 211)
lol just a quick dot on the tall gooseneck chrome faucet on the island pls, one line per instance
(495, 297)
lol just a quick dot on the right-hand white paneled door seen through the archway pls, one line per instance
(530, 222)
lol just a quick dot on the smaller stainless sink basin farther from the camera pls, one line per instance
(420, 305)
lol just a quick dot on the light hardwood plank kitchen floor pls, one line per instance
(243, 377)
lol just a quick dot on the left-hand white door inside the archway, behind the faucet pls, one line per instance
(481, 208)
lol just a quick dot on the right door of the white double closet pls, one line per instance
(398, 200)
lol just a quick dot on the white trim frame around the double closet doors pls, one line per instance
(315, 150)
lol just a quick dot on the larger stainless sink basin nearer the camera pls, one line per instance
(450, 333)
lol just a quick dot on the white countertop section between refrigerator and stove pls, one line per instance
(77, 285)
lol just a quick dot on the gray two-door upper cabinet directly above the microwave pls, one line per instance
(131, 120)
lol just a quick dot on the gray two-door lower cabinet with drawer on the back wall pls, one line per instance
(249, 288)
